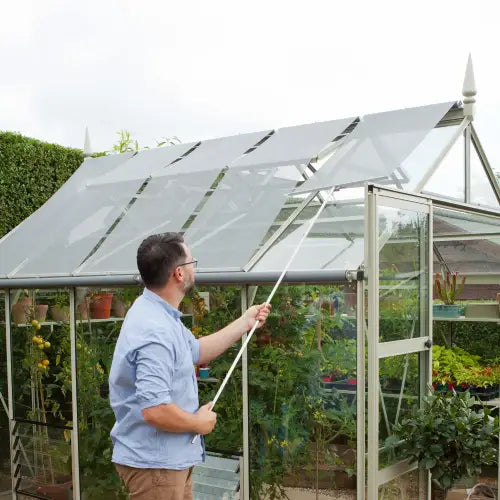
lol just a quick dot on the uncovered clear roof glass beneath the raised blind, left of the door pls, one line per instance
(334, 242)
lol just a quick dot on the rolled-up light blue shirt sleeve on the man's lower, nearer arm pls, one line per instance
(154, 373)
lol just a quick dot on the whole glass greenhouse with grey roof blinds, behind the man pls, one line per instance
(359, 329)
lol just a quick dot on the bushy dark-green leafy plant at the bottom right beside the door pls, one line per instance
(451, 435)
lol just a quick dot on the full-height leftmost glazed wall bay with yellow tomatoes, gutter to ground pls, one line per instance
(42, 392)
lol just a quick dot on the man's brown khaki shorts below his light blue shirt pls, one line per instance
(157, 484)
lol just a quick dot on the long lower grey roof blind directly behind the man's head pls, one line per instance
(164, 205)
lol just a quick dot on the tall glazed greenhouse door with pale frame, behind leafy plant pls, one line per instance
(399, 269)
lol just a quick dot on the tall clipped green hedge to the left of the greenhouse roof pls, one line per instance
(31, 171)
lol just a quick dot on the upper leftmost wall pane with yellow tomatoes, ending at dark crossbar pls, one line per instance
(41, 357)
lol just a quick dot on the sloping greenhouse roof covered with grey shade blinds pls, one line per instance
(243, 201)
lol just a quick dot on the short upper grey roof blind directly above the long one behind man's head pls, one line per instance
(214, 154)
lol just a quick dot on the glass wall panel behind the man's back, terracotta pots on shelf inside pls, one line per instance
(99, 316)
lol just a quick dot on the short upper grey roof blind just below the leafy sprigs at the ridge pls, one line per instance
(143, 164)
